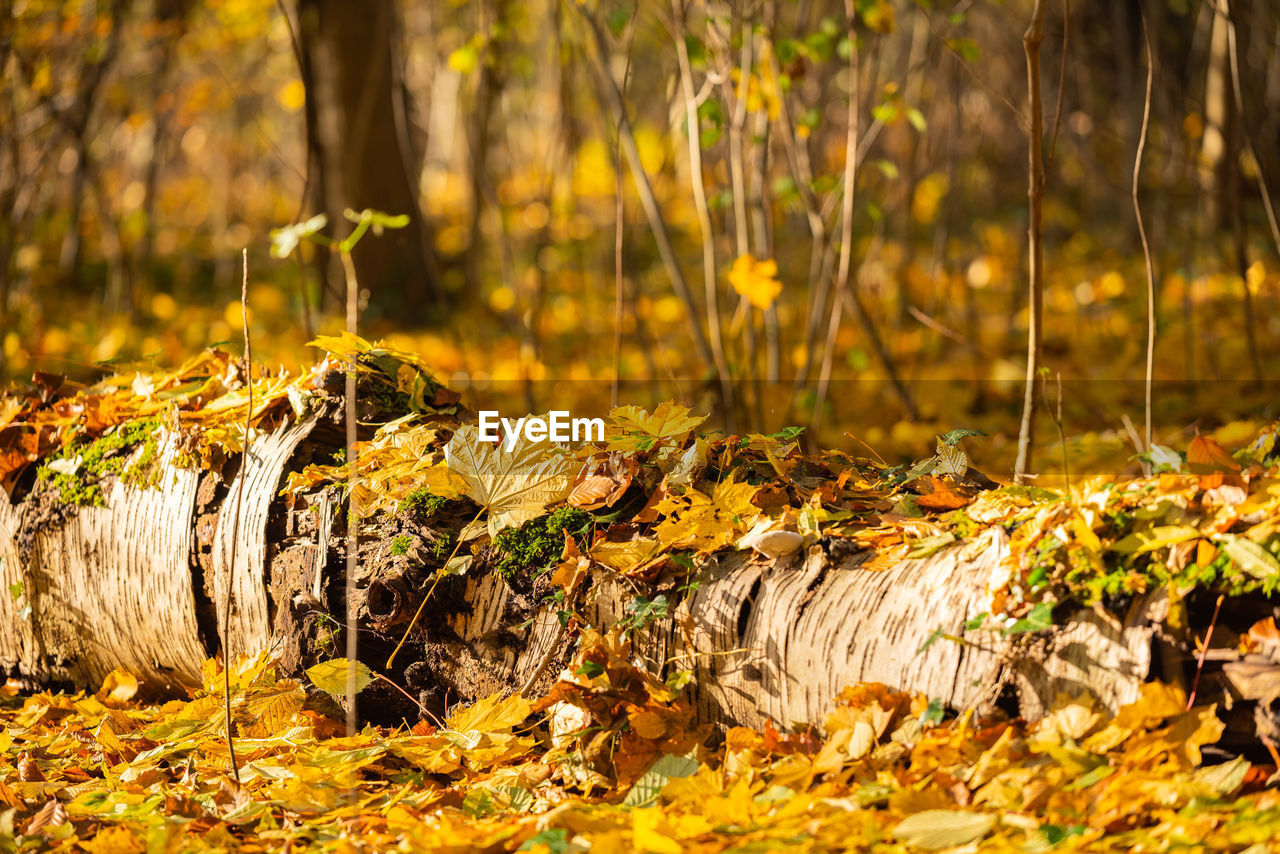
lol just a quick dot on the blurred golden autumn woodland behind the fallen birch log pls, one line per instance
(145, 143)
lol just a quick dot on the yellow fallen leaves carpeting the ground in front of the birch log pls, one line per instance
(883, 773)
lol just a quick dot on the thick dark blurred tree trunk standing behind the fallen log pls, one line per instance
(362, 139)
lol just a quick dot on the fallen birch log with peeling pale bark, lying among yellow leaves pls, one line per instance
(141, 583)
